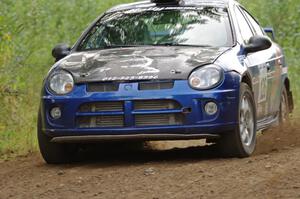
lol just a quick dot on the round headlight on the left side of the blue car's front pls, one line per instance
(61, 82)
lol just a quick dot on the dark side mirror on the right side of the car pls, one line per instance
(257, 43)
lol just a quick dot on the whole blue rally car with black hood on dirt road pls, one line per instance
(165, 70)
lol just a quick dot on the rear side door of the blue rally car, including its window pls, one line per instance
(273, 62)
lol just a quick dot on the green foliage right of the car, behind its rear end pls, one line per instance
(284, 17)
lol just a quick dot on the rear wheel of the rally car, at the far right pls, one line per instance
(284, 107)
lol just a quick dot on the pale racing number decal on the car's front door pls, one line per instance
(263, 83)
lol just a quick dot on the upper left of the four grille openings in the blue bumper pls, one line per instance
(101, 106)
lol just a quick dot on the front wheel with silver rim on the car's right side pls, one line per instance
(232, 144)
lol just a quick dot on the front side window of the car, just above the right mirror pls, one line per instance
(244, 28)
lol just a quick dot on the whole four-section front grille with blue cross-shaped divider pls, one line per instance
(145, 112)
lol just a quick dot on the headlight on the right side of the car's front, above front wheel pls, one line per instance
(206, 77)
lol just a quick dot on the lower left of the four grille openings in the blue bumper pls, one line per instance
(100, 121)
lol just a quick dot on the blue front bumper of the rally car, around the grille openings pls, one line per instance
(196, 122)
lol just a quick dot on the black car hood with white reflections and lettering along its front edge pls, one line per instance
(137, 63)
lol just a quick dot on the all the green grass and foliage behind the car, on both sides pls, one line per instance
(30, 28)
